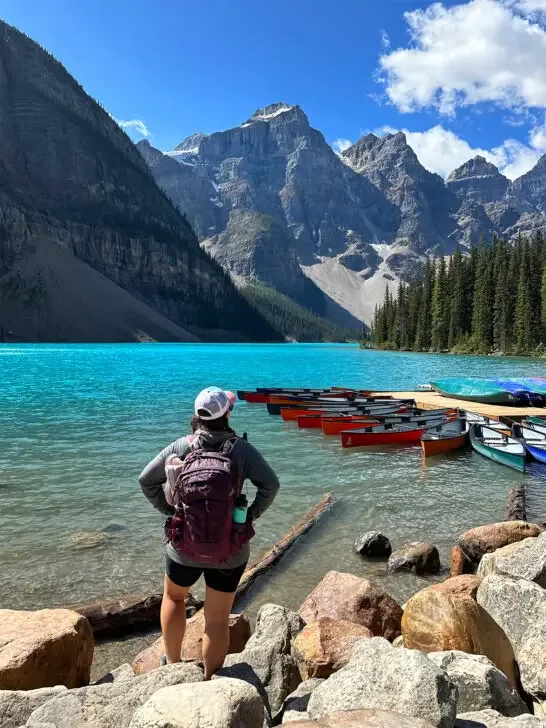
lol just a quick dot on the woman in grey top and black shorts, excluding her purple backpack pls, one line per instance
(212, 408)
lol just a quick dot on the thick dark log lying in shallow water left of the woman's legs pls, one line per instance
(128, 614)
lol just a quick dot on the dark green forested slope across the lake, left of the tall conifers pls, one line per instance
(292, 320)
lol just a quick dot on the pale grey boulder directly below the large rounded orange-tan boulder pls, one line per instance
(481, 685)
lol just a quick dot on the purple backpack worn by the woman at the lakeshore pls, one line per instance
(205, 494)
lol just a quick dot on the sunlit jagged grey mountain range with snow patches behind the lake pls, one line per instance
(273, 203)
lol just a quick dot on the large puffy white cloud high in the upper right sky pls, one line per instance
(479, 51)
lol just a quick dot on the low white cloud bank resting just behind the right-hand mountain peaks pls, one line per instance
(440, 150)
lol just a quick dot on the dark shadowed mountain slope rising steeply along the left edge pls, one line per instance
(84, 229)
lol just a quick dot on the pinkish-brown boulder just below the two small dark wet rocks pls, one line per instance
(353, 599)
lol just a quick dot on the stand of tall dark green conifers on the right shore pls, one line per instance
(491, 300)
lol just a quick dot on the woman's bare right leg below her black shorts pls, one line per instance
(216, 637)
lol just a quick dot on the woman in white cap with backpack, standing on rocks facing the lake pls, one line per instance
(202, 536)
